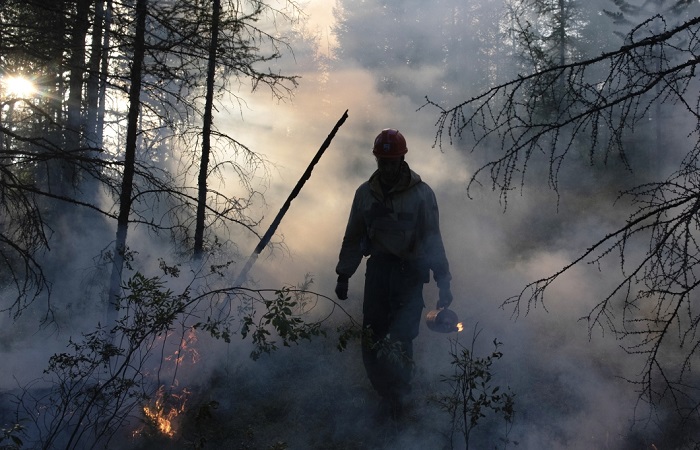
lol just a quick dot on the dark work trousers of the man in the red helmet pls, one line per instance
(392, 310)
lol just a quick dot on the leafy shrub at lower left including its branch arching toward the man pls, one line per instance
(107, 377)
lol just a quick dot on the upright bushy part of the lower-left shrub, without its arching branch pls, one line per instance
(103, 377)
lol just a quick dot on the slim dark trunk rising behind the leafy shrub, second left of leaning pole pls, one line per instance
(129, 161)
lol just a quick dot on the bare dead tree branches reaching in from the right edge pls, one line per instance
(593, 106)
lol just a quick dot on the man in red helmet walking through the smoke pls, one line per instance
(393, 220)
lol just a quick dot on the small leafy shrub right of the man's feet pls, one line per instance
(473, 395)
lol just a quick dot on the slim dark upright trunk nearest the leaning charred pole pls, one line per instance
(206, 133)
